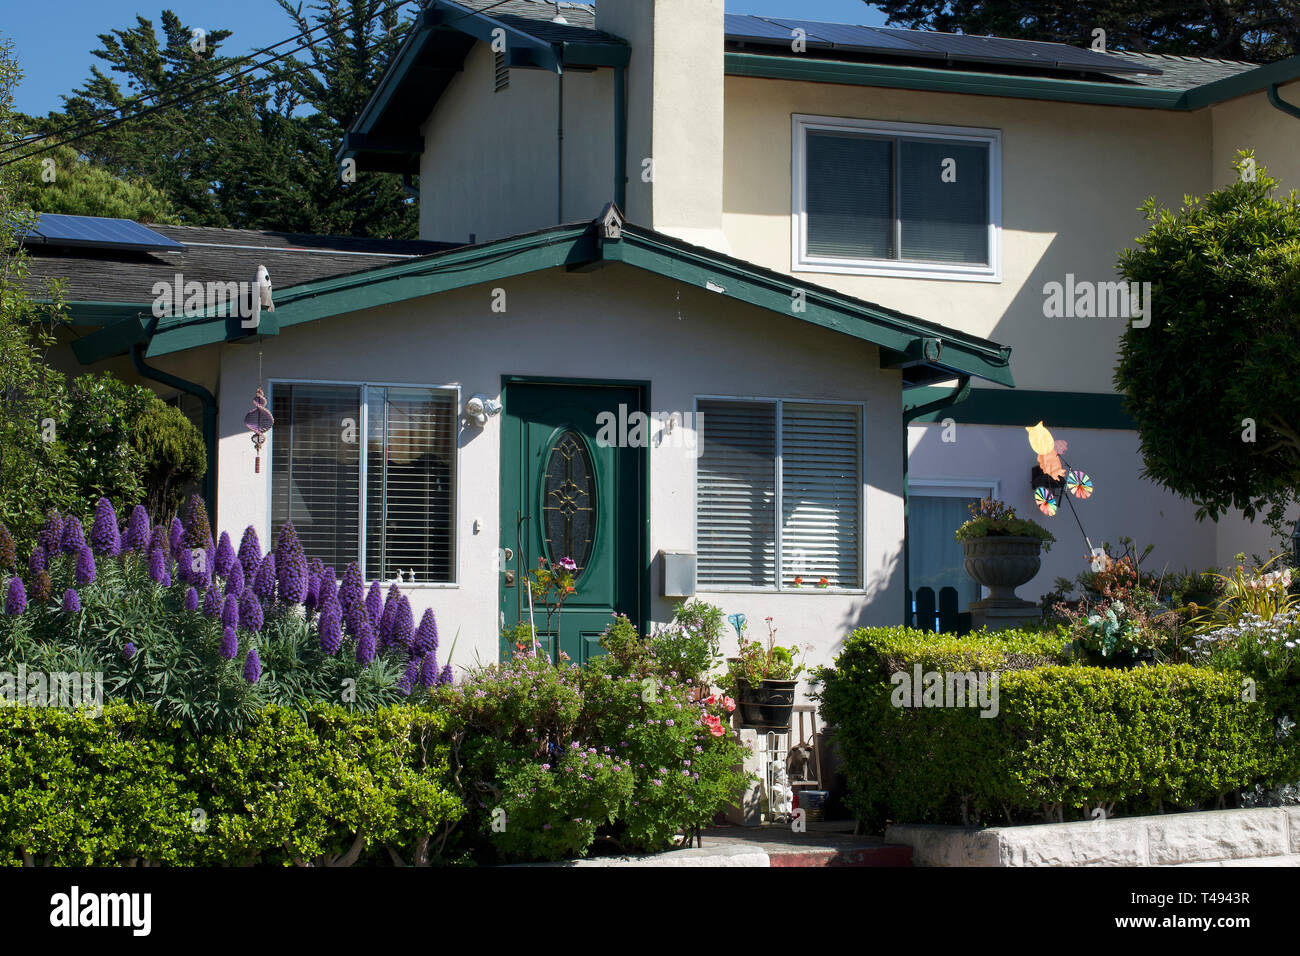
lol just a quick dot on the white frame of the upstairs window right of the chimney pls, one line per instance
(903, 269)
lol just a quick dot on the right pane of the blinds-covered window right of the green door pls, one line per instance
(821, 495)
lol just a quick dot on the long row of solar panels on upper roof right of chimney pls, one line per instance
(926, 45)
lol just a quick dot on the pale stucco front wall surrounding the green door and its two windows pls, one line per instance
(617, 323)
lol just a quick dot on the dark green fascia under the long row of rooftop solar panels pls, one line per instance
(950, 81)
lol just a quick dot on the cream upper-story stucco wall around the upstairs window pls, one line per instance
(1073, 178)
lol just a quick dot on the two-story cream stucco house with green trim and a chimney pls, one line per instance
(725, 276)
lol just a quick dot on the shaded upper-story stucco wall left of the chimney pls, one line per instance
(491, 158)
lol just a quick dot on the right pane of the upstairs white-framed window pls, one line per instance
(943, 219)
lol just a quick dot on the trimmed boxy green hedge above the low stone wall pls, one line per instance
(1065, 739)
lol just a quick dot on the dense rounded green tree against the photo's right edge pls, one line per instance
(1214, 382)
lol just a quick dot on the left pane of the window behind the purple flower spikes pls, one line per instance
(315, 470)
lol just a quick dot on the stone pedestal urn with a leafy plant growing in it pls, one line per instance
(1002, 552)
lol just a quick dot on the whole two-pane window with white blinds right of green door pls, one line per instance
(813, 470)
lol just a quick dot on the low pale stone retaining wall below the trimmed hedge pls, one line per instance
(1267, 837)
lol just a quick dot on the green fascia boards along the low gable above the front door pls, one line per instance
(577, 245)
